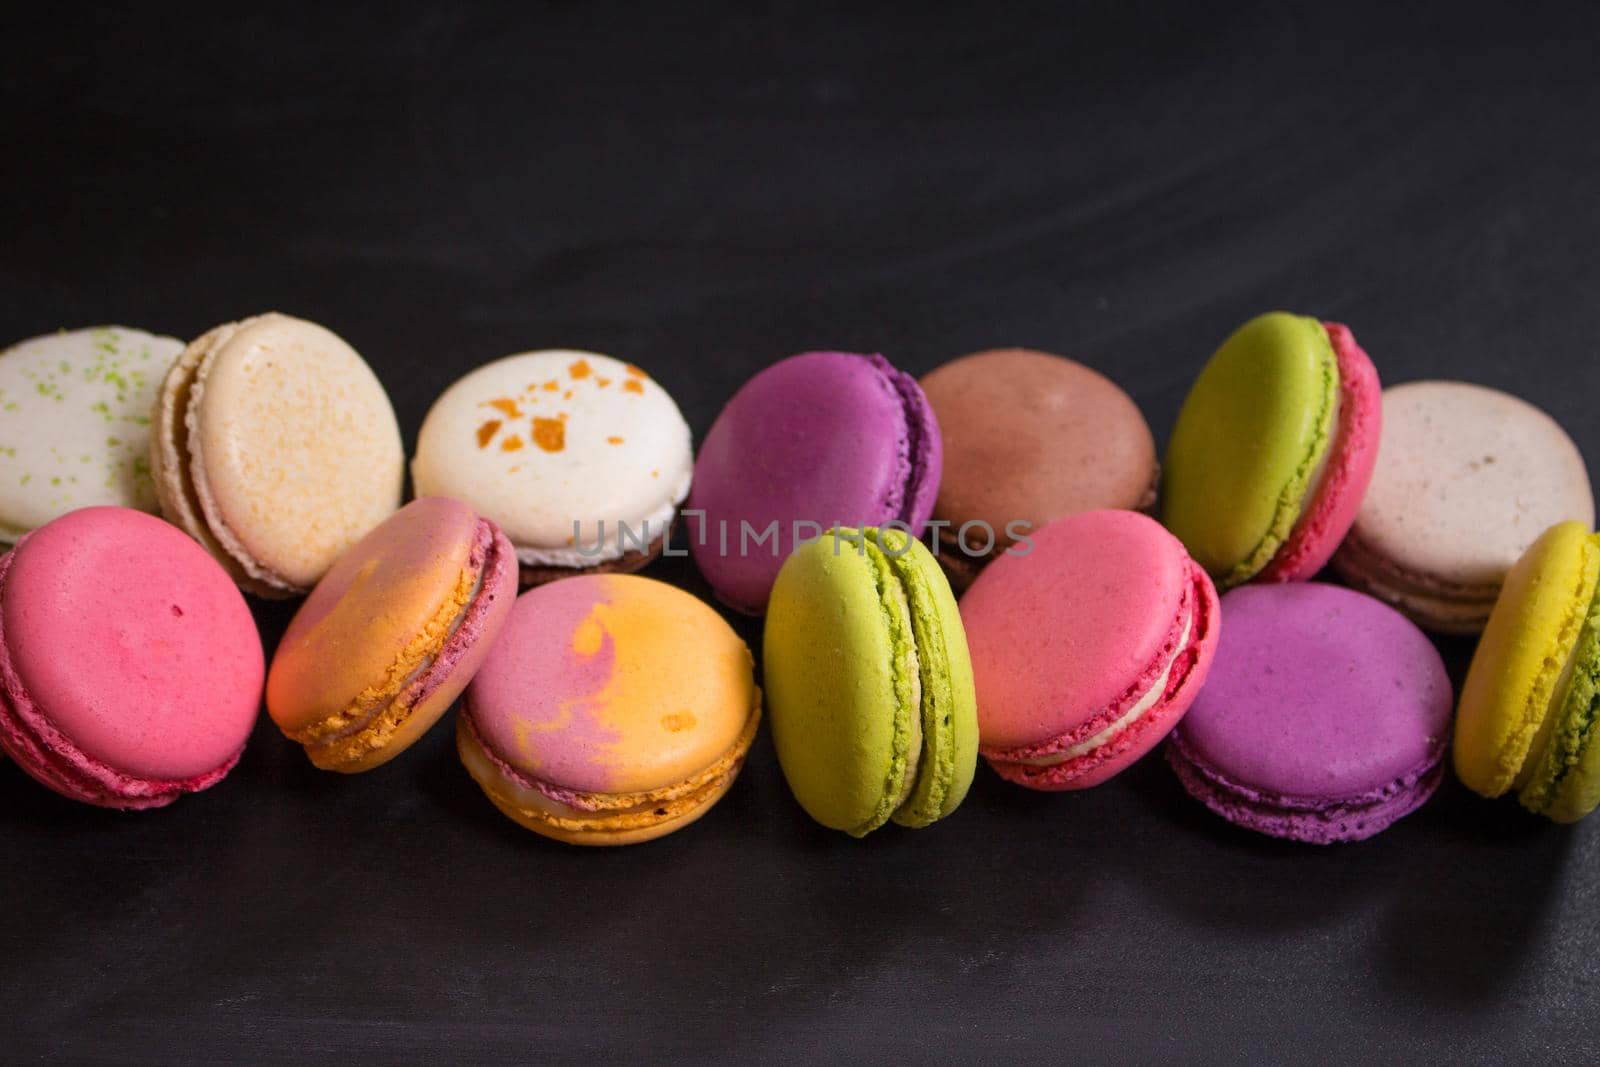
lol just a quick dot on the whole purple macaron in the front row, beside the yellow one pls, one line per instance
(1326, 716)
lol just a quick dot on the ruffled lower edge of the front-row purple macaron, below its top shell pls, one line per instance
(1313, 820)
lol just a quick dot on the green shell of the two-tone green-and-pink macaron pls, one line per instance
(1249, 441)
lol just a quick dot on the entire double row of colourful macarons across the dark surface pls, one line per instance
(1087, 636)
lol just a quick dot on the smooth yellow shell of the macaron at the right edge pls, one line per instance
(1519, 661)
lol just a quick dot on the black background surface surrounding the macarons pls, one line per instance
(705, 194)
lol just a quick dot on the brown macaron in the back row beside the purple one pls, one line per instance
(1030, 438)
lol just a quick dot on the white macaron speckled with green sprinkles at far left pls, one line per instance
(76, 423)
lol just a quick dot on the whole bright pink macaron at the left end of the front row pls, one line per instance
(130, 668)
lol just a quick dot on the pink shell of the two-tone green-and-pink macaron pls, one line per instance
(1348, 473)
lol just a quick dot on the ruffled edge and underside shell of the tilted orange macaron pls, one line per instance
(420, 669)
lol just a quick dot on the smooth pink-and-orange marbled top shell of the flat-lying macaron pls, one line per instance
(614, 684)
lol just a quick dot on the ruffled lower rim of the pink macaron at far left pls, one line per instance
(36, 743)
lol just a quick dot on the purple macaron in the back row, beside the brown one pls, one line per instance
(817, 441)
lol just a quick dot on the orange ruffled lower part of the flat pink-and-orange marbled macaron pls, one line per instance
(530, 801)
